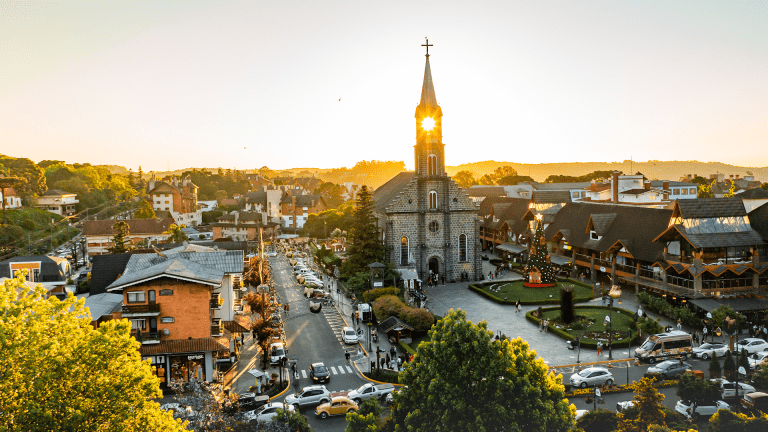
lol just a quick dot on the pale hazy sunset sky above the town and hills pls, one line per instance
(191, 84)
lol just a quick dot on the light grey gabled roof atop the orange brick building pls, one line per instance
(176, 268)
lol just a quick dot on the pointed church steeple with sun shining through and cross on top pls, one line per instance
(429, 149)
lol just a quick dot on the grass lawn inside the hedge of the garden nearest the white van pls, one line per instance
(592, 321)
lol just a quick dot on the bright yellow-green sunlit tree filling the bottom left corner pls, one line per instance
(59, 373)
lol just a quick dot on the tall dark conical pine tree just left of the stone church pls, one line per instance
(365, 247)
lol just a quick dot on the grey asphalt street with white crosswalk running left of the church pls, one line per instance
(313, 338)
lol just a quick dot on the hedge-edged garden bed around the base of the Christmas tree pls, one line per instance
(510, 292)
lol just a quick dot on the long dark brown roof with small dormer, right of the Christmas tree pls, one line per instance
(635, 227)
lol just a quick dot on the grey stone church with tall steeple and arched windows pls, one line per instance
(426, 221)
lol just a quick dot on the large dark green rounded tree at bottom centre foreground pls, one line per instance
(463, 380)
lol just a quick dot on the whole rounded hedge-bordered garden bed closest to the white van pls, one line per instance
(588, 326)
